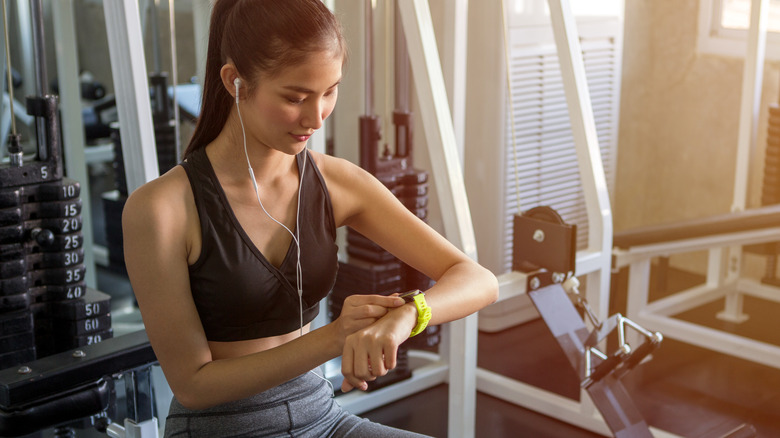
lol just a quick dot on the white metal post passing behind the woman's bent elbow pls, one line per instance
(460, 341)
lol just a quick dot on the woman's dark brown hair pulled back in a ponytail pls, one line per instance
(258, 37)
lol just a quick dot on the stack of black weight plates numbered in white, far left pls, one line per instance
(41, 267)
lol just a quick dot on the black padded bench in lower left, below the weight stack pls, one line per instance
(74, 384)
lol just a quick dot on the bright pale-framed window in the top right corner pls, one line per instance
(723, 27)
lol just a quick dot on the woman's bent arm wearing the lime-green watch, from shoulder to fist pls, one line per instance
(461, 287)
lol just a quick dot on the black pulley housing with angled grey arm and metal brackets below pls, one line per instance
(544, 249)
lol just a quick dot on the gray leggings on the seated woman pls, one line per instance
(301, 407)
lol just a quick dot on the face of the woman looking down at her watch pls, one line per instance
(286, 109)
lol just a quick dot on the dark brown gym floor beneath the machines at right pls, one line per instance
(684, 390)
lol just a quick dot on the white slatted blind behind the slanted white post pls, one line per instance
(542, 164)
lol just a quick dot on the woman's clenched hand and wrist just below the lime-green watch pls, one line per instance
(371, 351)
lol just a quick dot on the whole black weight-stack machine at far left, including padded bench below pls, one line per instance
(58, 358)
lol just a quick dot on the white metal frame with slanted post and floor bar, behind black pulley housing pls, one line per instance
(595, 261)
